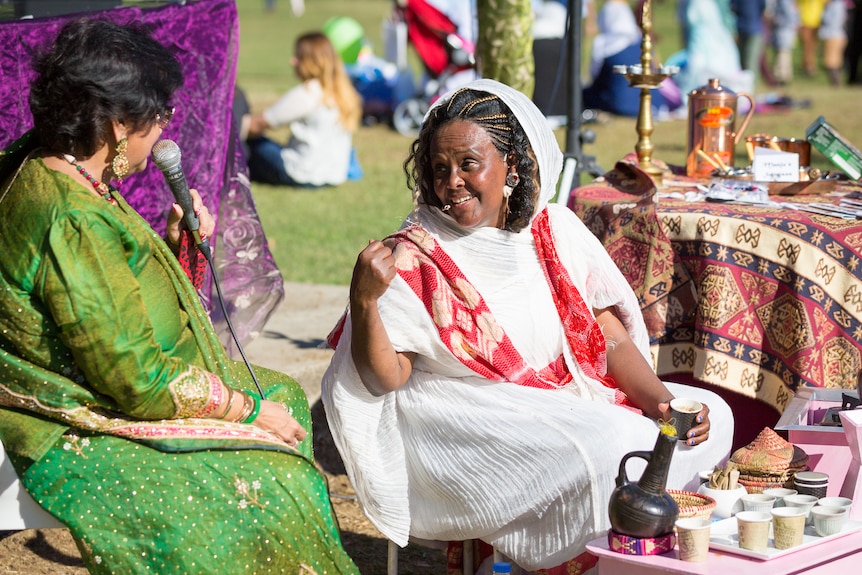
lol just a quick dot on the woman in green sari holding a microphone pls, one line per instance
(119, 409)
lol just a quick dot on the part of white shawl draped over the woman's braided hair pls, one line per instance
(539, 133)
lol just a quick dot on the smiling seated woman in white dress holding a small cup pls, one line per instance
(463, 406)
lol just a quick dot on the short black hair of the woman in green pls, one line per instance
(97, 71)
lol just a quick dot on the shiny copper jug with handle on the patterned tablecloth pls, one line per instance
(711, 118)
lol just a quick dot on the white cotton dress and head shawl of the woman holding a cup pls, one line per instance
(453, 456)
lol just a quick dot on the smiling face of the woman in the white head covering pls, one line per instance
(469, 174)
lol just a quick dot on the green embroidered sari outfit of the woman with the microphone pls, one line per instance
(109, 368)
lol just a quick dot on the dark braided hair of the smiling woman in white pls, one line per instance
(488, 111)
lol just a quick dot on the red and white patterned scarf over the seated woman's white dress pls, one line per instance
(468, 328)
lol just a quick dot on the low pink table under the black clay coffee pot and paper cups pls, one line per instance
(833, 557)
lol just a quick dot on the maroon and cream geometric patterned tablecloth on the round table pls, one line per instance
(755, 299)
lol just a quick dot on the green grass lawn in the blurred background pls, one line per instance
(315, 235)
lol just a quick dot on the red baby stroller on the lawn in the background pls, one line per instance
(442, 51)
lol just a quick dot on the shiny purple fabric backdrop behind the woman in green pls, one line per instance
(204, 37)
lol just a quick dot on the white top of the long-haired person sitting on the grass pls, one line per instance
(318, 152)
